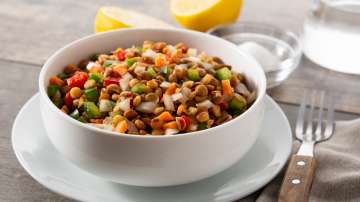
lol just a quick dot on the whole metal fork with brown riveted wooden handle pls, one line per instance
(310, 129)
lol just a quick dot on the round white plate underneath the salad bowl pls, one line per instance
(40, 159)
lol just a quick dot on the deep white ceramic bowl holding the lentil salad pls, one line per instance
(152, 160)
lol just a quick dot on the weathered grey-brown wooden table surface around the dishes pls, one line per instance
(31, 30)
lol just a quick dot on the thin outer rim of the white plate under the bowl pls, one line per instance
(232, 197)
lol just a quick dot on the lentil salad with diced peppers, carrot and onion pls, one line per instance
(156, 88)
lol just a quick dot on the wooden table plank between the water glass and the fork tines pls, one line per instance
(344, 87)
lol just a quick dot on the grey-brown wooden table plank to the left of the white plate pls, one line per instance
(16, 185)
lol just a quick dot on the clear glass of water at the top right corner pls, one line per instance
(331, 34)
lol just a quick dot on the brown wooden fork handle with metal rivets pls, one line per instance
(298, 179)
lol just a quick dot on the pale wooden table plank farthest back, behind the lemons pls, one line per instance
(31, 30)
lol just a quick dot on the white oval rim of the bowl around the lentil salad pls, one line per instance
(261, 87)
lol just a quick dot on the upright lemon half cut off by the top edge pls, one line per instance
(202, 15)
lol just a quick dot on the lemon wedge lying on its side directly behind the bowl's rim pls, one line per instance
(110, 18)
